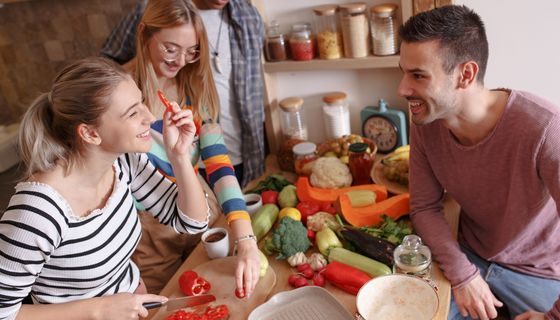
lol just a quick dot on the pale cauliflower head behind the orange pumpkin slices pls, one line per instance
(330, 173)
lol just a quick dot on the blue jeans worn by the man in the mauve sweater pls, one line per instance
(519, 292)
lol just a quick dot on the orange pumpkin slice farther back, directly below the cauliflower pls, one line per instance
(306, 192)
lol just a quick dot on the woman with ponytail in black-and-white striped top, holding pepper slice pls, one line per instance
(71, 226)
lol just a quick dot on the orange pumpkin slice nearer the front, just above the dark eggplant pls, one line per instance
(394, 207)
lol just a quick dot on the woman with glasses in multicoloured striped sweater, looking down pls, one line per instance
(173, 56)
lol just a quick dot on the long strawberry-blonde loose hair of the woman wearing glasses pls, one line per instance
(194, 80)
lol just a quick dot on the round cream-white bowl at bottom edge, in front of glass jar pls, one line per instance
(397, 296)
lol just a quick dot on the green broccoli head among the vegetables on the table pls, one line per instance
(289, 238)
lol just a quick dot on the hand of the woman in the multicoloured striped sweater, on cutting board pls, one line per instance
(248, 266)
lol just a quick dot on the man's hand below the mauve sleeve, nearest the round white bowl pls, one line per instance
(475, 299)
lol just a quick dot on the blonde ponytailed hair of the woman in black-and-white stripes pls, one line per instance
(80, 94)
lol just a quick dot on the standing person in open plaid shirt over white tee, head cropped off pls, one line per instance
(236, 34)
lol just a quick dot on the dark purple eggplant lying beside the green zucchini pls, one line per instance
(369, 245)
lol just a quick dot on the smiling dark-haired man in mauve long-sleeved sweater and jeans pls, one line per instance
(497, 153)
